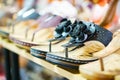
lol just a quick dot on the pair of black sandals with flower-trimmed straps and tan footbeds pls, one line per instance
(72, 48)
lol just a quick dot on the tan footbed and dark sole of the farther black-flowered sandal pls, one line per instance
(41, 50)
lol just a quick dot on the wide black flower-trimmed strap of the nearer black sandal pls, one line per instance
(86, 31)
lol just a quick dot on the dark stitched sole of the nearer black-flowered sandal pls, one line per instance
(66, 62)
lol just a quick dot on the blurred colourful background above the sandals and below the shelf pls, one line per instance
(105, 13)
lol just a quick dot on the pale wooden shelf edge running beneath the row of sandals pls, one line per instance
(52, 67)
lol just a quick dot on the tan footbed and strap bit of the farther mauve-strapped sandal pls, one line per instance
(25, 27)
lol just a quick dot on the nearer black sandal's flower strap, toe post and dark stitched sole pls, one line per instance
(85, 31)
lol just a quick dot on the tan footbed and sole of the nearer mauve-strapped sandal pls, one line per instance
(27, 43)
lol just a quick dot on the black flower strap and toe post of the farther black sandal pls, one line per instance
(61, 32)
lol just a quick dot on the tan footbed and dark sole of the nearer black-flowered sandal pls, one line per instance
(76, 57)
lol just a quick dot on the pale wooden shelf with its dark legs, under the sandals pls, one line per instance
(13, 51)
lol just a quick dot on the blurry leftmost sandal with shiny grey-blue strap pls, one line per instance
(32, 15)
